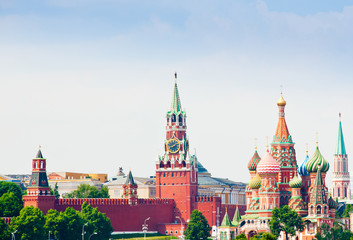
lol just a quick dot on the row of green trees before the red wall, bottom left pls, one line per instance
(67, 225)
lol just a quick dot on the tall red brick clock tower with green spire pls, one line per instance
(176, 171)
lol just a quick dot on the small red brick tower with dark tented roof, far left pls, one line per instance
(38, 191)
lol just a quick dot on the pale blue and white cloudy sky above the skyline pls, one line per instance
(91, 81)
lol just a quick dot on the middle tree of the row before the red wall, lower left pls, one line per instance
(70, 224)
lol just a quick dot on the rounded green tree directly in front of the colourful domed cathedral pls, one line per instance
(286, 220)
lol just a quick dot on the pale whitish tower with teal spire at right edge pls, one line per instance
(340, 176)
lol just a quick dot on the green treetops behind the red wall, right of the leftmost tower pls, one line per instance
(88, 191)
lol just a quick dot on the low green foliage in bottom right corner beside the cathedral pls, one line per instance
(335, 233)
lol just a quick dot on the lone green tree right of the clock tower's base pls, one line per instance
(198, 227)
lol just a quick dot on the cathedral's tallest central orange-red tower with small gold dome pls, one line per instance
(284, 153)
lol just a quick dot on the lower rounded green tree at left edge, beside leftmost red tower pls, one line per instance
(10, 205)
